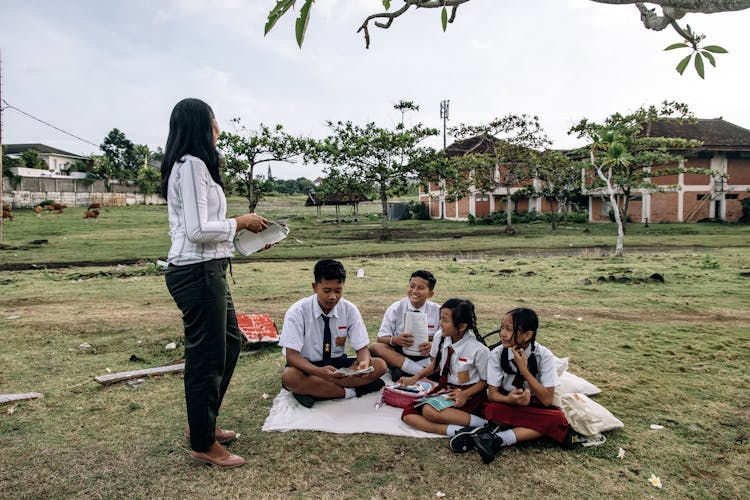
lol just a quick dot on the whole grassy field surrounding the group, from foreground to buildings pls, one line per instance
(672, 353)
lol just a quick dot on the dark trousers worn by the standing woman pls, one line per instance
(212, 342)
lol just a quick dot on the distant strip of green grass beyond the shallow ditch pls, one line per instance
(141, 232)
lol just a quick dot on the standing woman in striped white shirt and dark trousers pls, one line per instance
(202, 244)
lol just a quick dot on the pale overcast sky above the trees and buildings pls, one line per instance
(88, 66)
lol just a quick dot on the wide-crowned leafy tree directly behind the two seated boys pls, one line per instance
(383, 160)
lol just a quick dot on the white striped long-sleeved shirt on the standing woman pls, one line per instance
(197, 211)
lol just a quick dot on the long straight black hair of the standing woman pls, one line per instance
(190, 132)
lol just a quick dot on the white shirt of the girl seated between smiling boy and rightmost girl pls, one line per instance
(469, 360)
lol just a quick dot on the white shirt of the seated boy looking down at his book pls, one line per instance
(303, 329)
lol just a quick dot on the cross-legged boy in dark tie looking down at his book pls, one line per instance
(314, 338)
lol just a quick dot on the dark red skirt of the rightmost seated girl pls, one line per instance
(550, 421)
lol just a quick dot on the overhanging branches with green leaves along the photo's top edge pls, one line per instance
(672, 11)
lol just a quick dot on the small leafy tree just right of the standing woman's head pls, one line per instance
(245, 149)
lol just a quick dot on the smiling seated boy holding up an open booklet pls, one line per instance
(392, 339)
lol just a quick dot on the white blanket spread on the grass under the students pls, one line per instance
(340, 416)
